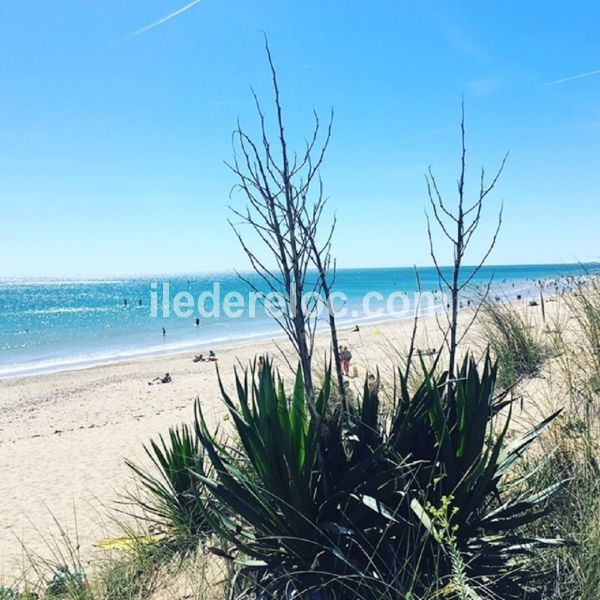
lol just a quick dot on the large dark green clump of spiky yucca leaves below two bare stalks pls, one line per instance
(352, 520)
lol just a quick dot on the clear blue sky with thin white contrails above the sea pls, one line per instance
(112, 144)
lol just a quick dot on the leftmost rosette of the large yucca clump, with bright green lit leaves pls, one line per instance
(271, 485)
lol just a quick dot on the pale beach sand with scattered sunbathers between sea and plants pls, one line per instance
(64, 436)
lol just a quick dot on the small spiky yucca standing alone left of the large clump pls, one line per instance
(171, 500)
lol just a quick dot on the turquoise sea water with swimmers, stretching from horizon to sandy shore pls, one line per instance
(51, 325)
